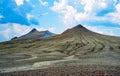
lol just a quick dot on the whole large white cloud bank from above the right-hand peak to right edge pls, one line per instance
(89, 10)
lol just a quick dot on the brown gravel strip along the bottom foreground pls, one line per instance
(70, 71)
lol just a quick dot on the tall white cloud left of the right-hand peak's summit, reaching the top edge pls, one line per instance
(62, 7)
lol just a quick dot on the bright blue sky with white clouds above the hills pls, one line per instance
(17, 17)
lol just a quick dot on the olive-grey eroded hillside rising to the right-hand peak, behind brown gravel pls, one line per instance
(77, 46)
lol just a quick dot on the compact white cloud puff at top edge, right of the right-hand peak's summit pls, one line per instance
(93, 6)
